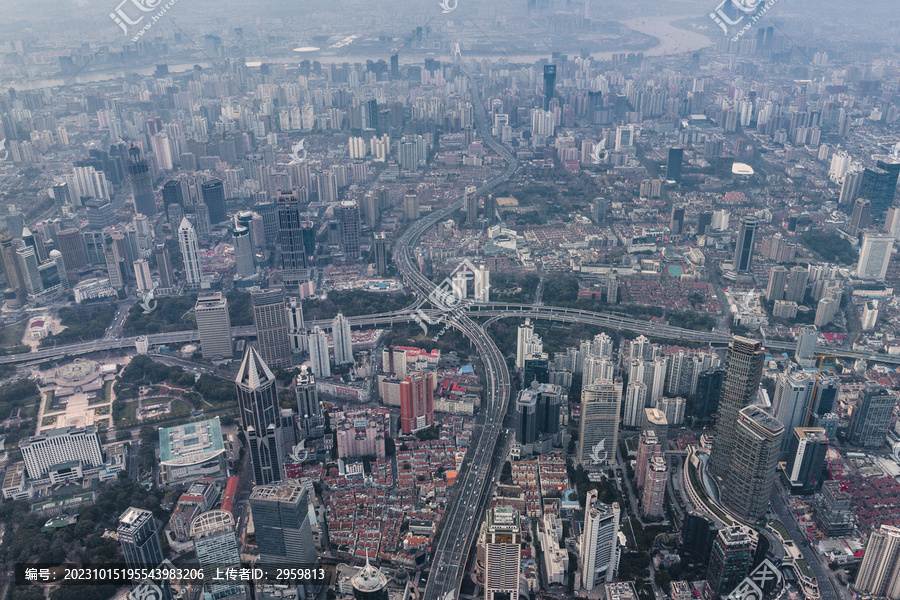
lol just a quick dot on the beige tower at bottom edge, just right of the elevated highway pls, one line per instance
(502, 553)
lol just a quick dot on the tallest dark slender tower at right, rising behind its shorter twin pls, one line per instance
(743, 371)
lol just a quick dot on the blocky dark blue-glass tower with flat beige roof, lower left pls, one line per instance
(281, 519)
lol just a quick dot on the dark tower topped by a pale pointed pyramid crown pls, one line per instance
(259, 412)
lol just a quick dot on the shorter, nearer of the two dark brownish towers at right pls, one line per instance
(754, 463)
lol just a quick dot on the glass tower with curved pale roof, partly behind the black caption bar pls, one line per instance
(216, 546)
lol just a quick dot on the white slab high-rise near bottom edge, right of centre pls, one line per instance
(599, 542)
